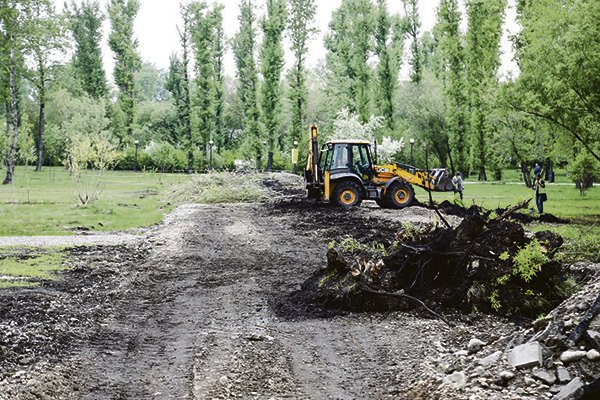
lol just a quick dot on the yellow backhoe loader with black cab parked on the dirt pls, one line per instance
(345, 173)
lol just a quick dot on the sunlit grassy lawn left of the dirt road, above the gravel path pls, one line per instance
(47, 203)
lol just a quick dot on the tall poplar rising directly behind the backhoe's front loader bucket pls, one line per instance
(447, 33)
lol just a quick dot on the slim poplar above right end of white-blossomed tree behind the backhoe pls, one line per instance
(389, 45)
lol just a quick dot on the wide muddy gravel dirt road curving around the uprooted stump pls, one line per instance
(202, 310)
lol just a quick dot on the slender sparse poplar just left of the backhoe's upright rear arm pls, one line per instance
(302, 15)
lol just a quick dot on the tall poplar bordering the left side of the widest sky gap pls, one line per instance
(122, 15)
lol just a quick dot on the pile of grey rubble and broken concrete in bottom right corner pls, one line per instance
(556, 357)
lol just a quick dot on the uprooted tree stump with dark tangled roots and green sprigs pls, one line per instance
(485, 265)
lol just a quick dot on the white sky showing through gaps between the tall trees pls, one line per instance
(157, 20)
